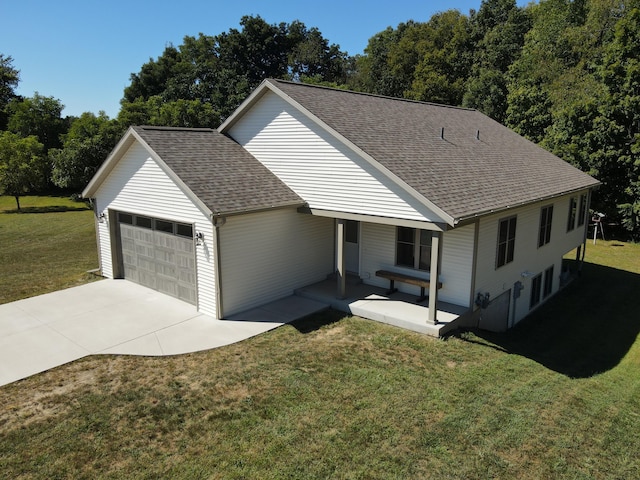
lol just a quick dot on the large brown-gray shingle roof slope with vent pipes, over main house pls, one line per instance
(478, 167)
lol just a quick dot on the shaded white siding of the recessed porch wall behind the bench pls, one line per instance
(378, 243)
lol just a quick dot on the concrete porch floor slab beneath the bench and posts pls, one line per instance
(398, 309)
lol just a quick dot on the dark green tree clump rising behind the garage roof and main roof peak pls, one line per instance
(220, 71)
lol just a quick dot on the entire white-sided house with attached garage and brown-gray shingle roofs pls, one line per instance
(304, 182)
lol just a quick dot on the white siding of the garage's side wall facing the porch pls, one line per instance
(267, 255)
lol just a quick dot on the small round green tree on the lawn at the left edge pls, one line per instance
(21, 165)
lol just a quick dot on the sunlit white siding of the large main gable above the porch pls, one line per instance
(321, 170)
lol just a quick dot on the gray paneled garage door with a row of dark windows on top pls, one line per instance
(159, 254)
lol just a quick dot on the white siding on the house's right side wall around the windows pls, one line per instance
(529, 260)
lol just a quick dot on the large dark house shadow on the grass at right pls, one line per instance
(584, 330)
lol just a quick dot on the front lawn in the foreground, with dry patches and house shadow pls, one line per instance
(342, 397)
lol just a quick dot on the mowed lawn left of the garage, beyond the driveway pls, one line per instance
(48, 245)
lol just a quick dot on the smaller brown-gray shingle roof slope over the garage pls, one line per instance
(222, 174)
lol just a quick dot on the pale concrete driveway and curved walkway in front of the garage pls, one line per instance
(121, 317)
